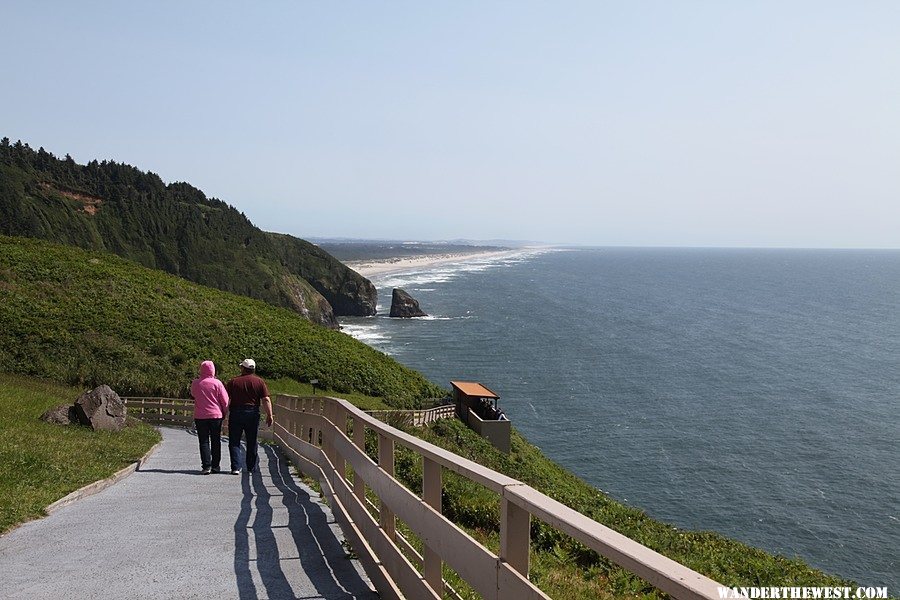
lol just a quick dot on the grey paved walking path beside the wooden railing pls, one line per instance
(168, 532)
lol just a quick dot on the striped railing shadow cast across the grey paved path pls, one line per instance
(319, 553)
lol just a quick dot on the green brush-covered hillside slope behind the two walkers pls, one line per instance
(86, 318)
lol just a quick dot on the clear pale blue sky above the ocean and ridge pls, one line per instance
(715, 123)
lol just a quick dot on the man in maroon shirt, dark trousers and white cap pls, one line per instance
(247, 392)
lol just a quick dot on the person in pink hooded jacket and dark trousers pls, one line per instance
(210, 406)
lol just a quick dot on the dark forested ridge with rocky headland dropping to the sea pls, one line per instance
(105, 205)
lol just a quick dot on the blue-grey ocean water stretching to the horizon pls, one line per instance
(751, 392)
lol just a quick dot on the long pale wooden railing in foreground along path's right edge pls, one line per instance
(324, 435)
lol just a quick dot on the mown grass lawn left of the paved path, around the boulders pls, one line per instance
(44, 462)
